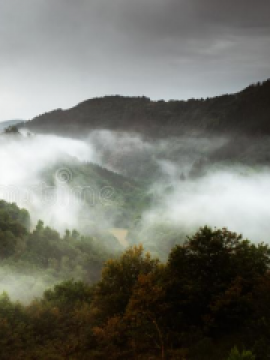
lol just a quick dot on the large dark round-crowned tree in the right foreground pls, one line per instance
(213, 271)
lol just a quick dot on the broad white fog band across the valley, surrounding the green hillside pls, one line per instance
(227, 195)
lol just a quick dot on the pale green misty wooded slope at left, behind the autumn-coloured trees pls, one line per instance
(35, 259)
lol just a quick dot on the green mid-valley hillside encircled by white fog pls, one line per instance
(105, 197)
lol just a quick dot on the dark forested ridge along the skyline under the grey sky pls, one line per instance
(246, 112)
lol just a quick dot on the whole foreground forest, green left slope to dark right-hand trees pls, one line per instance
(208, 300)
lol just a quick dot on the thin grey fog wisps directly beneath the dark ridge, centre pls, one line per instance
(152, 160)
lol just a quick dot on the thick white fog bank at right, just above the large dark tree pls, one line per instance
(223, 198)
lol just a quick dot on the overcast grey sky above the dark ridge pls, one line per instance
(56, 53)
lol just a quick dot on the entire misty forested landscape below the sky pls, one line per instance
(143, 236)
